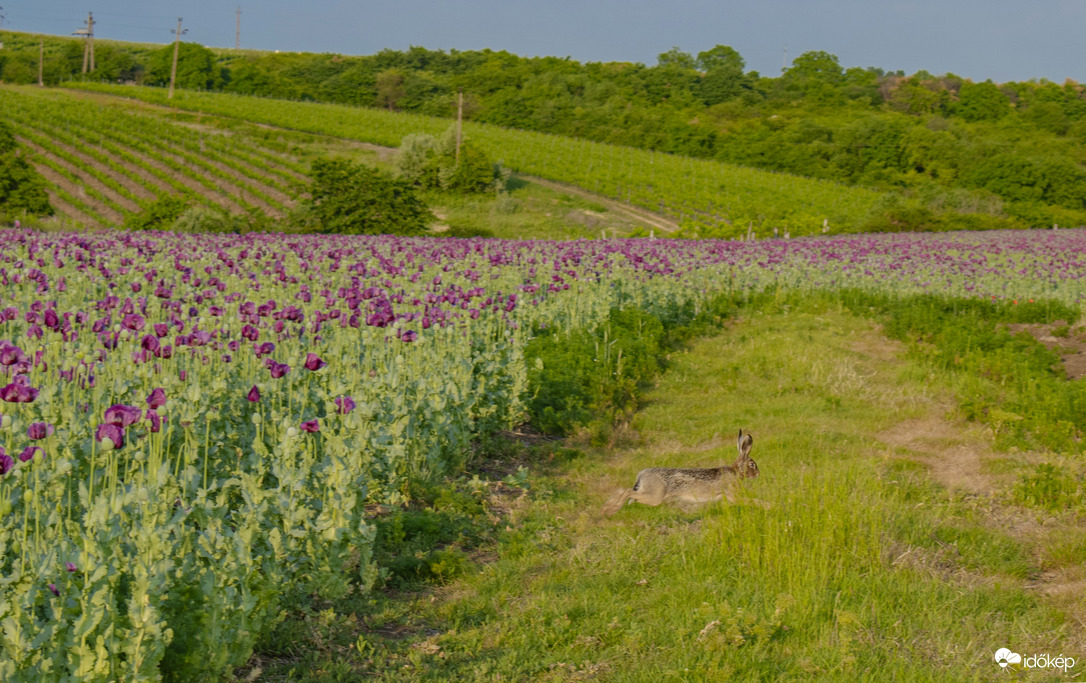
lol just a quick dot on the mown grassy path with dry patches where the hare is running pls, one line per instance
(879, 561)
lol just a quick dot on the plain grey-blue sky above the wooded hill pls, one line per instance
(980, 40)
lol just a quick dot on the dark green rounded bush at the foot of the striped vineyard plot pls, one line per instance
(353, 199)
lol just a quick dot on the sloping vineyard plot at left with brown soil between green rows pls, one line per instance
(106, 163)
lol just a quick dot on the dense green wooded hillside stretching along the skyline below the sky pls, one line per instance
(1011, 150)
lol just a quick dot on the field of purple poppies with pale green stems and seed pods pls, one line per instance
(194, 426)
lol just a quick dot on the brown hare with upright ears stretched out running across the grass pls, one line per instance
(690, 486)
